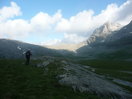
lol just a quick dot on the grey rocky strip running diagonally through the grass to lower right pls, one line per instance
(84, 79)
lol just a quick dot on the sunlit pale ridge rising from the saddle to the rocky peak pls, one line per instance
(98, 35)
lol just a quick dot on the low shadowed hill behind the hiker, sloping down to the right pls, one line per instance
(16, 49)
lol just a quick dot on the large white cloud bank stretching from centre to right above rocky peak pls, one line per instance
(85, 22)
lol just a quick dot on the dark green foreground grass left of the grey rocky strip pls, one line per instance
(19, 81)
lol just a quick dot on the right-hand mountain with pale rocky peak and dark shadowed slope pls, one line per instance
(114, 43)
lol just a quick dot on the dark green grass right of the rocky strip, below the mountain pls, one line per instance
(111, 68)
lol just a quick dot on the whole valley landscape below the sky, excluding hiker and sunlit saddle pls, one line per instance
(100, 69)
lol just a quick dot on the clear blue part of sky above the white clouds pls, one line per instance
(68, 7)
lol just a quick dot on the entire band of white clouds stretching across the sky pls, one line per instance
(75, 29)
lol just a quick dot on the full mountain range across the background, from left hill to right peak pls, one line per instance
(108, 41)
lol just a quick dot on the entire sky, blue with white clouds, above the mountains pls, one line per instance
(50, 22)
